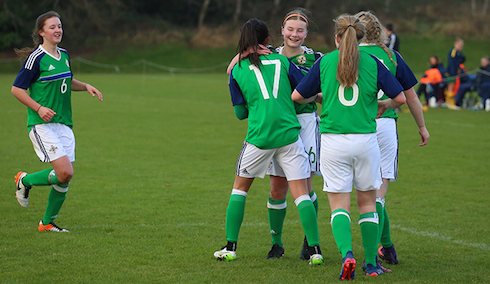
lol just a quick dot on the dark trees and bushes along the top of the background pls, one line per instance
(89, 23)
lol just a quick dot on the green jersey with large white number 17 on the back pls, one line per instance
(266, 91)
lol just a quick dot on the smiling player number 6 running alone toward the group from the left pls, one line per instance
(47, 74)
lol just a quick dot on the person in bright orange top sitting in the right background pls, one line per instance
(430, 82)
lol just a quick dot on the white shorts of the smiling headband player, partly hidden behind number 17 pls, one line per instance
(310, 135)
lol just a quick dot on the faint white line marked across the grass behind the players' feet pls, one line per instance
(264, 224)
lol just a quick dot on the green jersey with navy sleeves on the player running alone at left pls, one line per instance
(49, 82)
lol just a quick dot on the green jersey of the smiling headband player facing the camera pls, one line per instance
(304, 61)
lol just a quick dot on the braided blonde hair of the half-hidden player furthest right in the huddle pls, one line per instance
(375, 32)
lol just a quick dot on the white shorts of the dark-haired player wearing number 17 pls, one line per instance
(254, 162)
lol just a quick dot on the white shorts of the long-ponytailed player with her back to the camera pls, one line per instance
(350, 159)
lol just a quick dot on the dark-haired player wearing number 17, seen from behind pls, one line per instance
(260, 87)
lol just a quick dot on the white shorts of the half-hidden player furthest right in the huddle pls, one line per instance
(388, 146)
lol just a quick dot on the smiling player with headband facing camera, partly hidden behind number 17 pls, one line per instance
(294, 29)
